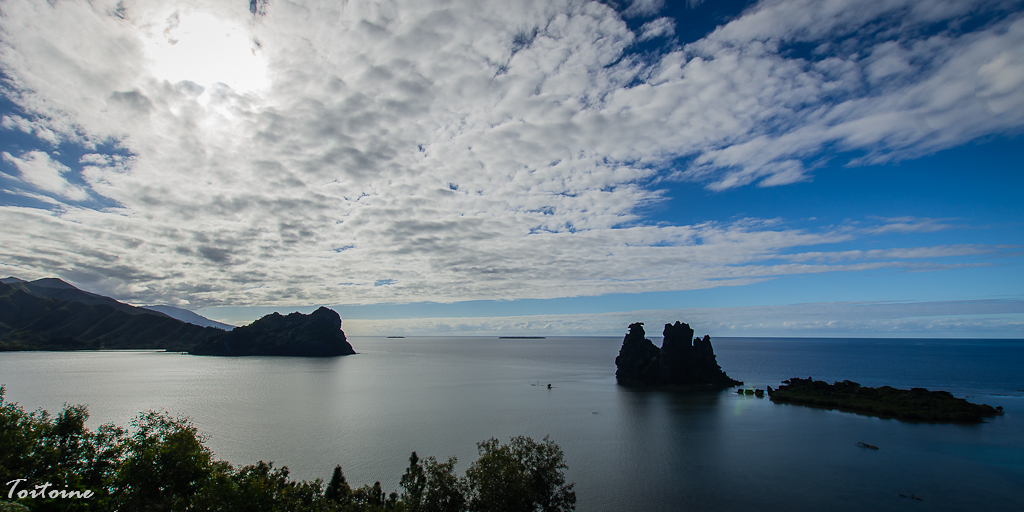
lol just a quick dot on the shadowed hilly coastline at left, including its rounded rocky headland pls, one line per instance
(51, 315)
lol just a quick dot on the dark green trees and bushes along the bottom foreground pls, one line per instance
(164, 464)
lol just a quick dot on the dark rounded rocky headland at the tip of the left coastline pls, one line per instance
(316, 335)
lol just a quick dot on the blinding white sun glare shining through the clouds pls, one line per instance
(202, 49)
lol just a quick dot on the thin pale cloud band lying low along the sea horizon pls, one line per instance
(999, 319)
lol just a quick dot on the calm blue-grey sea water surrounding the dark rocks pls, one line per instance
(627, 450)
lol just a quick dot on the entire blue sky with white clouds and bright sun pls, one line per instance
(846, 168)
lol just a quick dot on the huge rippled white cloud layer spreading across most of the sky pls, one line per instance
(464, 151)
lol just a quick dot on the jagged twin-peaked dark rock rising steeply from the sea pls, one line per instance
(682, 361)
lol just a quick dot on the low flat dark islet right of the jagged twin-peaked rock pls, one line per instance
(909, 405)
